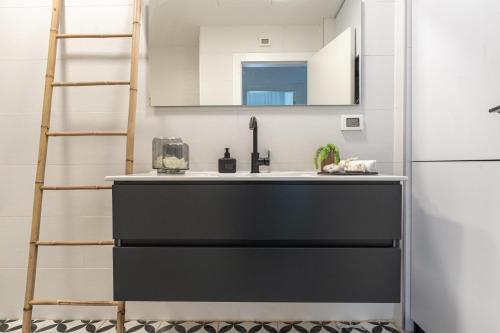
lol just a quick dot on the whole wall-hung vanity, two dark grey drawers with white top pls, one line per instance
(275, 237)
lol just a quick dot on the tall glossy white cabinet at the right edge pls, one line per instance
(455, 226)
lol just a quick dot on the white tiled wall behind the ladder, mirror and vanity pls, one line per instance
(292, 134)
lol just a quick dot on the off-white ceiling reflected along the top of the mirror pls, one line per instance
(177, 22)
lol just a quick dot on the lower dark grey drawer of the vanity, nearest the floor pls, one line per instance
(254, 274)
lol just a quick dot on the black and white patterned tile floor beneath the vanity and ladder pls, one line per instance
(142, 326)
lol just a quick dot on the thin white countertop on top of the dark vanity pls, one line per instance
(246, 176)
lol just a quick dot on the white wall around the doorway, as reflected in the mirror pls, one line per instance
(219, 43)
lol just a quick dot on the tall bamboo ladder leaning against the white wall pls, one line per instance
(46, 133)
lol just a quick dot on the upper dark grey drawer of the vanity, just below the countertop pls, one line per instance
(257, 211)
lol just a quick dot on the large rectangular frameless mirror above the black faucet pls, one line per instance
(254, 52)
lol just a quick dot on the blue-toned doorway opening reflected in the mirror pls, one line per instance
(274, 83)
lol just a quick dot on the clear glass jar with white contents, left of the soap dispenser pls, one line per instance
(170, 155)
